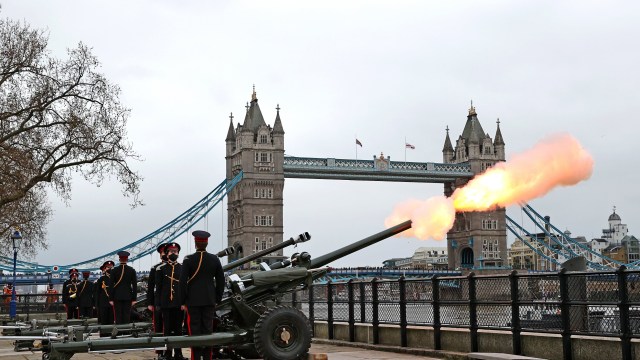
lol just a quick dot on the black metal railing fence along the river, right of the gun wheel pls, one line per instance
(604, 304)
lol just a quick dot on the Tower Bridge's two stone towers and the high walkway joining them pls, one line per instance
(255, 206)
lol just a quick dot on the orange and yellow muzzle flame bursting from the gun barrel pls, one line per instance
(557, 161)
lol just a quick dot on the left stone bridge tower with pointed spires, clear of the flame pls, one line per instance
(255, 208)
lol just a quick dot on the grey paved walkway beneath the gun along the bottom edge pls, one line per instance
(333, 353)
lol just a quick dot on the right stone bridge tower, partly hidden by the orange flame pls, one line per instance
(477, 239)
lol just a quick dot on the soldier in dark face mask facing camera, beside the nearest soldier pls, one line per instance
(168, 296)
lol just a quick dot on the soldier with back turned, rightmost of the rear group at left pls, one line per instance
(125, 289)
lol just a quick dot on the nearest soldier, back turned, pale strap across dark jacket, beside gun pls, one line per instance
(202, 286)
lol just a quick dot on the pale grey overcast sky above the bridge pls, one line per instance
(378, 70)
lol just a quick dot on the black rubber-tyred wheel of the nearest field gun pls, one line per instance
(282, 333)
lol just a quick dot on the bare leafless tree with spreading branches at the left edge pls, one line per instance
(57, 118)
